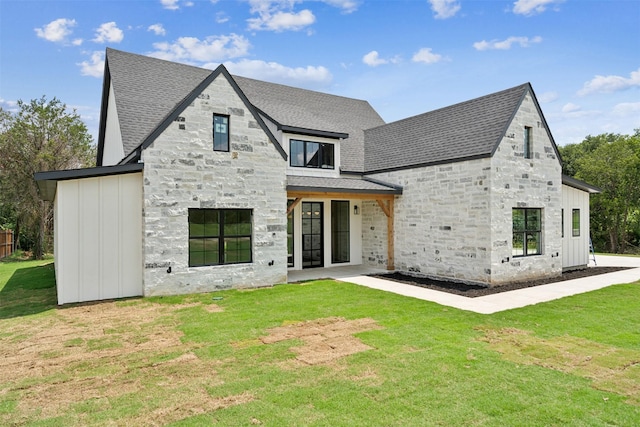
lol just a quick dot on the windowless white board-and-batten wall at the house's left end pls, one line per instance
(98, 238)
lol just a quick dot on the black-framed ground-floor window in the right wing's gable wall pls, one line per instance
(527, 232)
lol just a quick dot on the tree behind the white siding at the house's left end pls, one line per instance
(41, 136)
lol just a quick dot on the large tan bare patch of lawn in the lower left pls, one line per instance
(91, 353)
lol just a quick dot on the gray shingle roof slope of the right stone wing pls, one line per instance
(470, 129)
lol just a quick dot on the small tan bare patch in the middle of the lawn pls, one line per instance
(325, 340)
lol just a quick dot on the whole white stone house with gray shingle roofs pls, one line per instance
(208, 181)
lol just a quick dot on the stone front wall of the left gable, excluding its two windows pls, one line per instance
(182, 171)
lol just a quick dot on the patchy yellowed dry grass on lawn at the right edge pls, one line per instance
(610, 368)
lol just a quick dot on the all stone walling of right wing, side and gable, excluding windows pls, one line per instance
(455, 220)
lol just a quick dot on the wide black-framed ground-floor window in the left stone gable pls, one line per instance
(219, 236)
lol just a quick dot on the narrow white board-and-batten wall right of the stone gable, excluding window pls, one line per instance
(575, 249)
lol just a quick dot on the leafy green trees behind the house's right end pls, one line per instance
(611, 162)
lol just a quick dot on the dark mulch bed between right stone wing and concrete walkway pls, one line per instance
(473, 291)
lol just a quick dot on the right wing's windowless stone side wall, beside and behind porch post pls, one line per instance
(441, 221)
